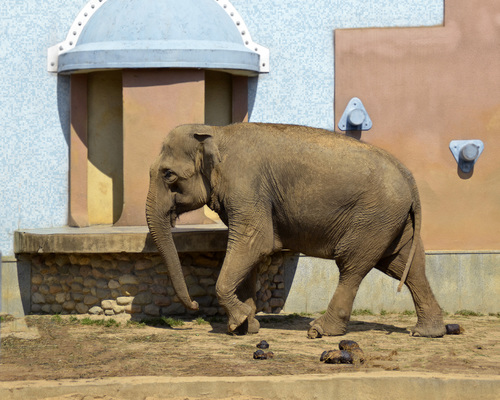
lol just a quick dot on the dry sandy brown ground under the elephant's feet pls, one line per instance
(67, 348)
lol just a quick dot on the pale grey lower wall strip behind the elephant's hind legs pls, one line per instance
(460, 281)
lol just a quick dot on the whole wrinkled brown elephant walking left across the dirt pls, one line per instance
(291, 187)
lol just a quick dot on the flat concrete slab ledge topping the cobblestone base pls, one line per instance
(110, 239)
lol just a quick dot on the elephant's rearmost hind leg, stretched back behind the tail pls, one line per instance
(429, 315)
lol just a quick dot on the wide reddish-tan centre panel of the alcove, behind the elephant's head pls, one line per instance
(154, 102)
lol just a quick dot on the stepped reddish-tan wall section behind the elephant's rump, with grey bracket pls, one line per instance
(422, 88)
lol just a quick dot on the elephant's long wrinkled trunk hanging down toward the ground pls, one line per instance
(159, 223)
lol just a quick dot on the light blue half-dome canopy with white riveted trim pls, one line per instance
(207, 34)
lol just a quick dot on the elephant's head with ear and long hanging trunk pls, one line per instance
(179, 182)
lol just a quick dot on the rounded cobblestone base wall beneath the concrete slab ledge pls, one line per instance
(138, 284)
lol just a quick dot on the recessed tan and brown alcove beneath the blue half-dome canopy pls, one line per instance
(118, 122)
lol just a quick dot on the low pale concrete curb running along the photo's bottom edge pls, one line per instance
(386, 386)
